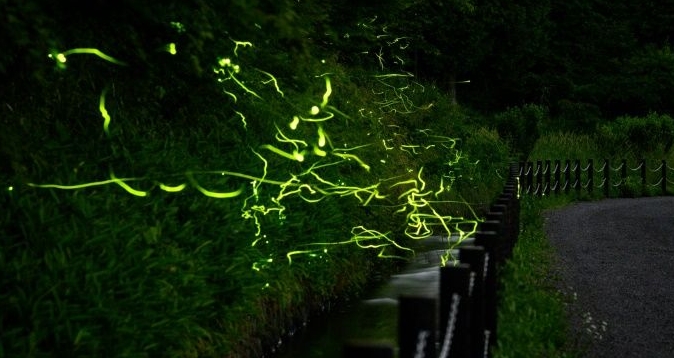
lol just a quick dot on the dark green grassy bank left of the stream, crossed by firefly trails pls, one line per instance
(193, 179)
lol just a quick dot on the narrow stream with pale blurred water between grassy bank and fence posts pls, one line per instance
(375, 316)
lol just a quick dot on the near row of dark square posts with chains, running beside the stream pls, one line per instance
(462, 320)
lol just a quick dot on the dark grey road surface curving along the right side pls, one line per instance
(617, 255)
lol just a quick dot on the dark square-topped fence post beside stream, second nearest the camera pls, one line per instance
(417, 327)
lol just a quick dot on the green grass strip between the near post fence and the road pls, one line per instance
(532, 315)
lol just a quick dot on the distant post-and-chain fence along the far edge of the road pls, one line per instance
(545, 177)
